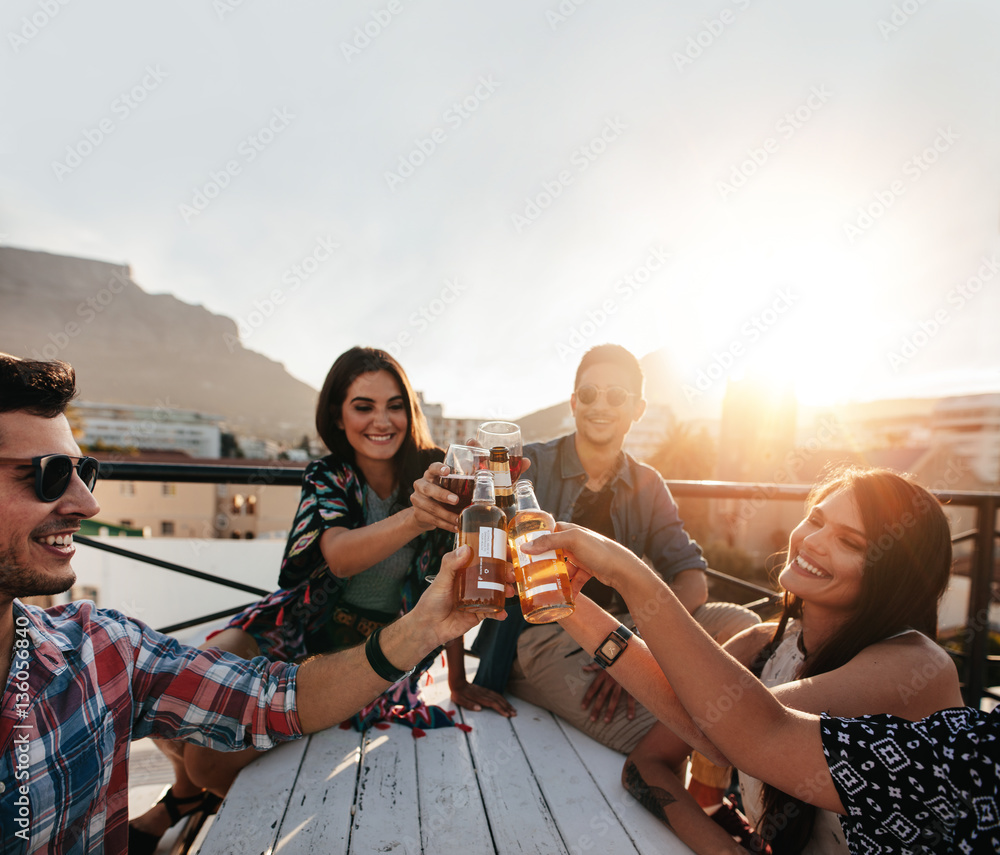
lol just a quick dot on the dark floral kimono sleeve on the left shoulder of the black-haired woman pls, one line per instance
(331, 496)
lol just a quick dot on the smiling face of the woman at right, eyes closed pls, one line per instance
(826, 554)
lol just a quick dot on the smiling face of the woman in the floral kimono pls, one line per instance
(374, 417)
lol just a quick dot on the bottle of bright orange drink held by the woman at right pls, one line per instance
(542, 581)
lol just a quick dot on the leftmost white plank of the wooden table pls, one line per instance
(250, 817)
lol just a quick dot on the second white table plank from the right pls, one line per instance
(579, 807)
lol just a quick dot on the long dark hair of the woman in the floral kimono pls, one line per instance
(414, 454)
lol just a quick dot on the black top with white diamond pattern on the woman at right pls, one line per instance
(918, 787)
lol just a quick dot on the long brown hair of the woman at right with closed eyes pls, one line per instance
(906, 570)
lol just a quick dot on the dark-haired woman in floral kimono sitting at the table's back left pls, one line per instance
(356, 558)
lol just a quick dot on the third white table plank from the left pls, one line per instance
(386, 817)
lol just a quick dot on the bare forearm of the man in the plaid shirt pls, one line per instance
(333, 687)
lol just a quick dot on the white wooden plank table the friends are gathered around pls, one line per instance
(529, 784)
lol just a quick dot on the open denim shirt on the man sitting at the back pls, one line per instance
(644, 516)
